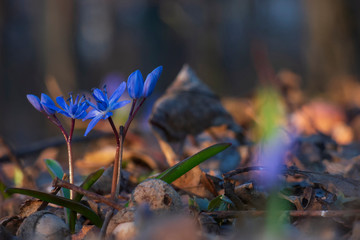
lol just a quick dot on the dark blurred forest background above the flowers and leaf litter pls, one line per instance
(78, 43)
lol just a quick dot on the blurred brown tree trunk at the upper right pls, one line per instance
(330, 46)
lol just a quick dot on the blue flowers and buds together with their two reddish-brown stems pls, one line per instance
(102, 109)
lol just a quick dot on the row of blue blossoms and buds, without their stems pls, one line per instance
(104, 106)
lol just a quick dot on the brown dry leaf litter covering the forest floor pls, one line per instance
(316, 195)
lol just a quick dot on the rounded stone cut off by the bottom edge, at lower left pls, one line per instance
(43, 225)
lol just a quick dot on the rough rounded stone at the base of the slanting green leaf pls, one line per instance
(159, 195)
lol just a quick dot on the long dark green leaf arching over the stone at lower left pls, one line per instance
(61, 201)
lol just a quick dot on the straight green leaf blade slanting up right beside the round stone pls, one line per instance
(186, 165)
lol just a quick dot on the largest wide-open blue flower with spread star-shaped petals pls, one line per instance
(104, 105)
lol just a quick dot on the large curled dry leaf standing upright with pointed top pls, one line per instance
(187, 108)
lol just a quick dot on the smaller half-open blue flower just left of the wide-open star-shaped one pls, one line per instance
(75, 110)
